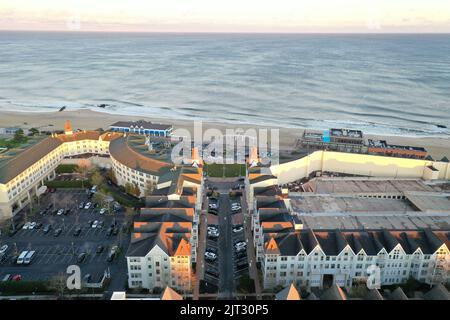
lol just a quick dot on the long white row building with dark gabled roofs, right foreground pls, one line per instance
(321, 259)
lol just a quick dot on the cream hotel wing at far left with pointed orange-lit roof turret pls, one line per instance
(25, 168)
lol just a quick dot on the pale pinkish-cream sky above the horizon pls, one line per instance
(227, 15)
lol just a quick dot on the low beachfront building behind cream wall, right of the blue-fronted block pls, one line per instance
(381, 147)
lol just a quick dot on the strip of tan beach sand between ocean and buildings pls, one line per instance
(88, 119)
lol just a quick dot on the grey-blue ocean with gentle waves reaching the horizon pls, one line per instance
(382, 84)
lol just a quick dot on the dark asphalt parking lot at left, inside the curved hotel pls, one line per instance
(54, 252)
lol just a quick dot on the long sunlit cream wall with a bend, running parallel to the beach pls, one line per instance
(359, 164)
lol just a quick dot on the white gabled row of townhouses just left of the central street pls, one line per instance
(165, 237)
